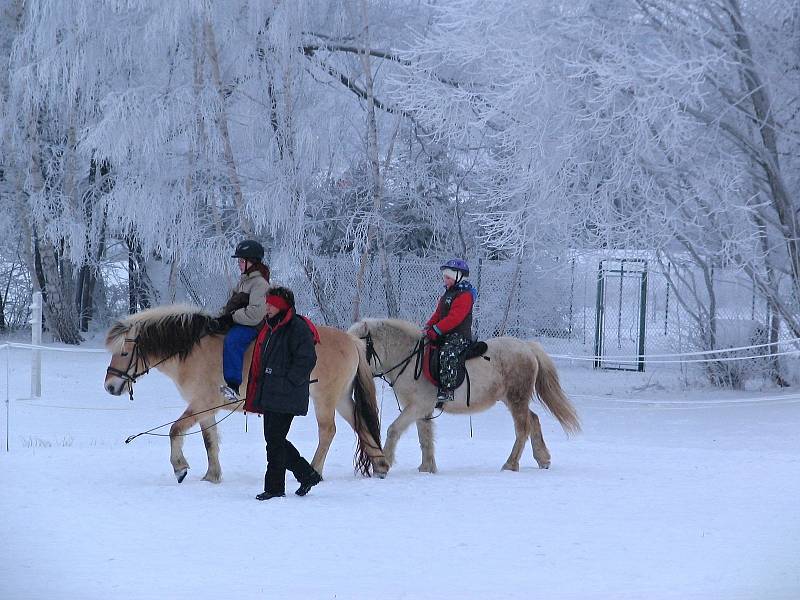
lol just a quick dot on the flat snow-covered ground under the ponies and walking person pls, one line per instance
(665, 495)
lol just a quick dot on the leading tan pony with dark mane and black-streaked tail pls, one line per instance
(175, 340)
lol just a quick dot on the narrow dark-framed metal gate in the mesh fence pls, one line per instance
(620, 314)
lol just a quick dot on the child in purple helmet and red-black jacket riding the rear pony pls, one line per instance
(450, 326)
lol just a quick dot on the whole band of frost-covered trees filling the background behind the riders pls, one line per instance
(156, 135)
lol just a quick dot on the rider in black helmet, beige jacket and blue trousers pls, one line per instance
(244, 312)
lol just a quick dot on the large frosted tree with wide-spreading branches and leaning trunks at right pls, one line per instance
(624, 125)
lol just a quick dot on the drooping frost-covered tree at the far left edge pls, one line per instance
(48, 100)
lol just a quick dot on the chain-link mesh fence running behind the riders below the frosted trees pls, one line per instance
(554, 301)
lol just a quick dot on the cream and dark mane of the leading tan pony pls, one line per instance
(172, 330)
